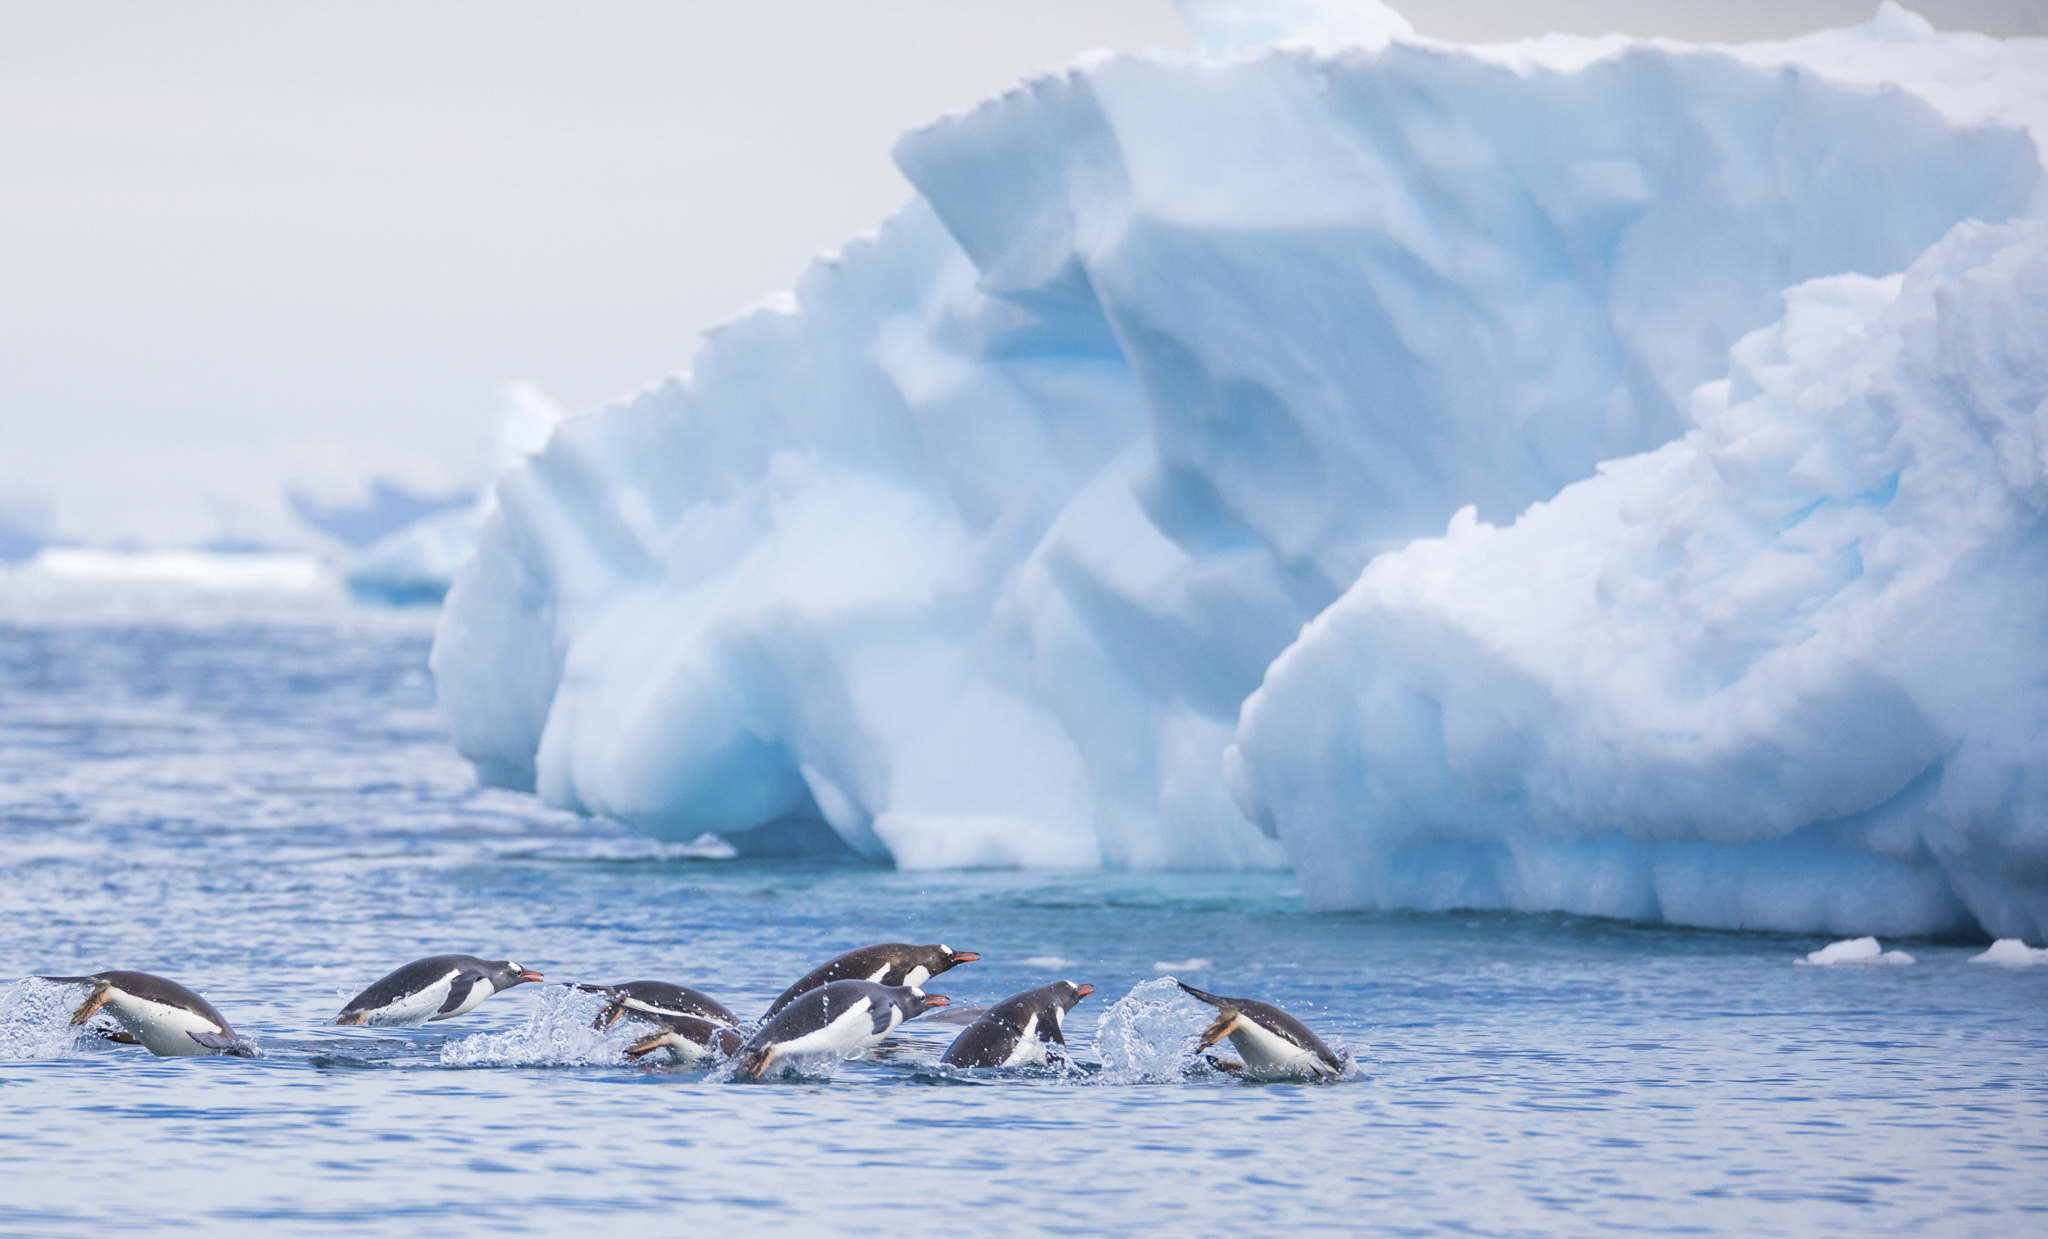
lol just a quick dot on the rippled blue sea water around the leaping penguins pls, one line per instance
(255, 796)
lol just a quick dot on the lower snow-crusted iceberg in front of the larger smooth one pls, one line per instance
(1785, 673)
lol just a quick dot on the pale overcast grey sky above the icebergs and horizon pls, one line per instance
(251, 245)
